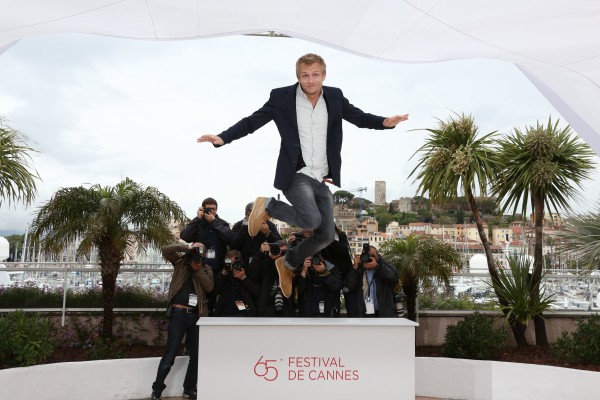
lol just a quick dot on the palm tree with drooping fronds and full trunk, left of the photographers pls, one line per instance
(110, 219)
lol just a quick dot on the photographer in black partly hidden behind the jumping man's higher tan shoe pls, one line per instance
(248, 245)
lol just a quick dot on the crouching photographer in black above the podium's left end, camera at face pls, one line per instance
(236, 292)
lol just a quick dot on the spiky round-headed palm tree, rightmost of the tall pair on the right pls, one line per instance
(543, 165)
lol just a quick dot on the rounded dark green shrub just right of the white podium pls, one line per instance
(475, 338)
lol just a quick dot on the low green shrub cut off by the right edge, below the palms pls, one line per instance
(581, 346)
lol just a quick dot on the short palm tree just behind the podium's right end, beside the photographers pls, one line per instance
(421, 261)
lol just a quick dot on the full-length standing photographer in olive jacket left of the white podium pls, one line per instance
(191, 281)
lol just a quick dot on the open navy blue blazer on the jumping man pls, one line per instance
(281, 108)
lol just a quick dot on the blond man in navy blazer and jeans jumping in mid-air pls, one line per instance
(309, 117)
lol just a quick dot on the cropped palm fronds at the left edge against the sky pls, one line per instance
(17, 175)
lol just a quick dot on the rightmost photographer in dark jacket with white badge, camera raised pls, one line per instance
(369, 286)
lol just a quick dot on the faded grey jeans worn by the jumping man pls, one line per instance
(312, 208)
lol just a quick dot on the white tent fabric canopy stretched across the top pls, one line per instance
(555, 43)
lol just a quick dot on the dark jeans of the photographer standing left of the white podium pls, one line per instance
(181, 323)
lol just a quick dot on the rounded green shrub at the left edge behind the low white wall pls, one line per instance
(24, 339)
